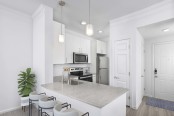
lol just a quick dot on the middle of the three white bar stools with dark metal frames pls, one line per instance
(46, 105)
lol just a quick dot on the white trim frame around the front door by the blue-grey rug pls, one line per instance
(153, 64)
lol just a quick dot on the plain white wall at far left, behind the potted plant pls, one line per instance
(16, 53)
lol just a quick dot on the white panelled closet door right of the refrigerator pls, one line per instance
(121, 65)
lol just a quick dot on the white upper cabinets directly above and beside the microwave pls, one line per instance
(76, 43)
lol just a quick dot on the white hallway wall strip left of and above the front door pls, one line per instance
(149, 79)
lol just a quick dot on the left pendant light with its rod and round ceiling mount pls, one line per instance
(61, 36)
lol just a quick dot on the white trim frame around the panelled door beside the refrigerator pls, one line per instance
(130, 80)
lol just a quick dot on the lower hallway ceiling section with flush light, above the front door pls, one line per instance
(156, 30)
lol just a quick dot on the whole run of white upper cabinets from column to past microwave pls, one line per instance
(74, 42)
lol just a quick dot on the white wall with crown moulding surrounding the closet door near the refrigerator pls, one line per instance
(126, 28)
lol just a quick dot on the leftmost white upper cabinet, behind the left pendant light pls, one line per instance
(58, 48)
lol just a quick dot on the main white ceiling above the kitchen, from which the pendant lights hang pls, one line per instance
(102, 11)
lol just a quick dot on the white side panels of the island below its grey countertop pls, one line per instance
(115, 108)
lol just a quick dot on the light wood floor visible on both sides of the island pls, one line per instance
(144, 110)
